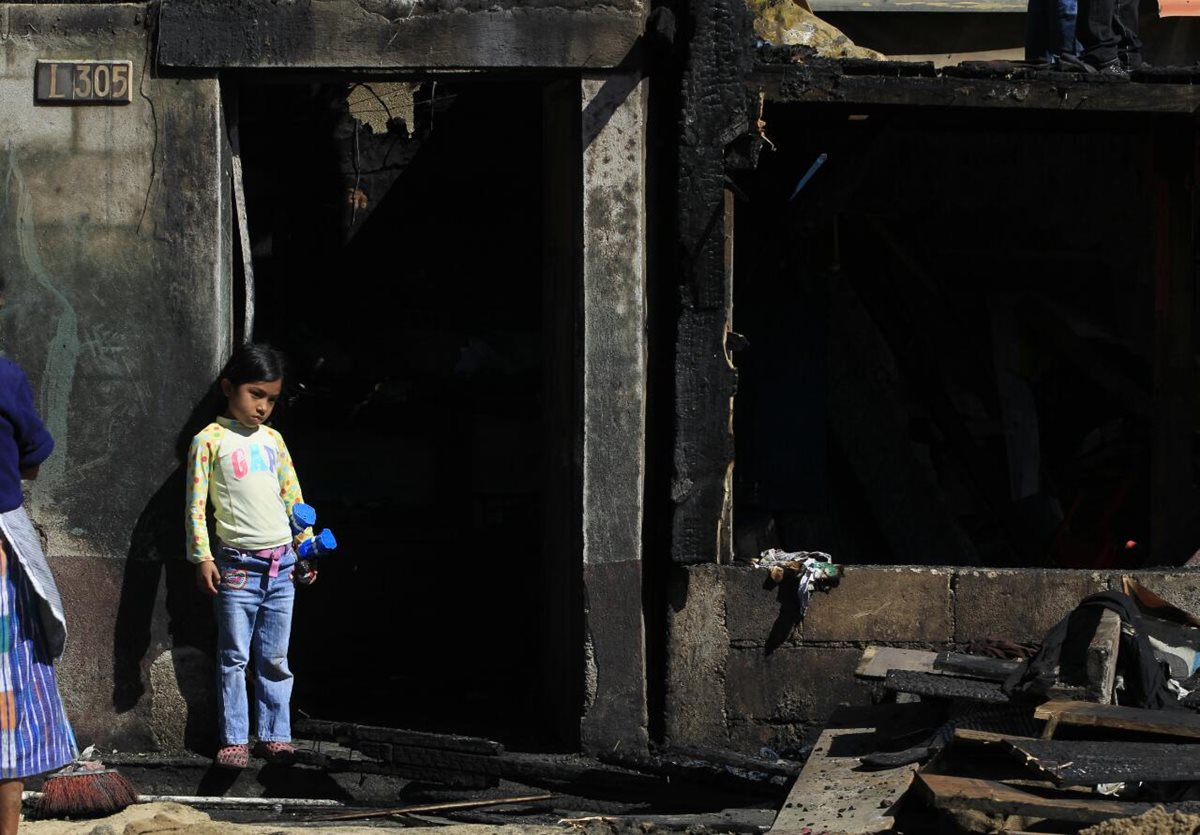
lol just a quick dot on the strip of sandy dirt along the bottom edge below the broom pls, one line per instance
(164, 819)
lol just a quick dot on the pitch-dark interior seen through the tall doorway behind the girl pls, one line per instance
(399, 265)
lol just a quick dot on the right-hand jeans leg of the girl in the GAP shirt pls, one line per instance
(273, 678)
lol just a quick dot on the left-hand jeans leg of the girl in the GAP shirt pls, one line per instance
(236, 609)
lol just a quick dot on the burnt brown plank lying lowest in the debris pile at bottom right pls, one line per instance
(988, 796)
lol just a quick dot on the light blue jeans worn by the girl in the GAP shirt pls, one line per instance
(254, 614)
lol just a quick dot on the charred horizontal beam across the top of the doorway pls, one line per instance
(399, 34)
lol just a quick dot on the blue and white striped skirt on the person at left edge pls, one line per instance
(35, 736)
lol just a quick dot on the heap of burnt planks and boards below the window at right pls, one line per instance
(955, 747)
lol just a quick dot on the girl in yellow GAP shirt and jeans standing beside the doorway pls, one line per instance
(244, 467)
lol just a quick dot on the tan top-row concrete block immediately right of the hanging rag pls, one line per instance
(895, 605)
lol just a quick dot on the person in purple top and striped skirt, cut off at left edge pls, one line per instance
(35, 735)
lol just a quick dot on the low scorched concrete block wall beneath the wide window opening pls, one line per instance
(746, 671)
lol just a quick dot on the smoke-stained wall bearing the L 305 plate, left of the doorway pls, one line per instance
(116, 247)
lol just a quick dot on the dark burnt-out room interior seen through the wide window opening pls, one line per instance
(958, 333)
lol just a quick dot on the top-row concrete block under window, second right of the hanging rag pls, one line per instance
(1022, 605)
